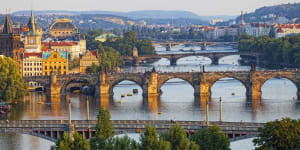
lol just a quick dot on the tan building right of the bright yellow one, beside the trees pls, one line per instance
(87, 60)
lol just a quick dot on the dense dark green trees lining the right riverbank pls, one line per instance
(274, 51)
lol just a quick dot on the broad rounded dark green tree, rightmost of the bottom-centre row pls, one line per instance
(211, 138)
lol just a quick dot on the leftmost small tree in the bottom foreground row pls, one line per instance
(64, 143)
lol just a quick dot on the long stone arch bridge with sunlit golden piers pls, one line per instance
(151, 82)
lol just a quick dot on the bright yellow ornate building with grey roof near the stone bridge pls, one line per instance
(55, 61)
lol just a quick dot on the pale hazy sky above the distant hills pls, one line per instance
(200, 7)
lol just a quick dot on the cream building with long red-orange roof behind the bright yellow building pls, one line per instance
(73, 48)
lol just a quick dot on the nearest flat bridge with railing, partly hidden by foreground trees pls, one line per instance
(53, 129)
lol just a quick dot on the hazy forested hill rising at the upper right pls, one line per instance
(264, 14)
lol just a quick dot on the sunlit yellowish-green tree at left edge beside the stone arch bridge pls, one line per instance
(12, 86)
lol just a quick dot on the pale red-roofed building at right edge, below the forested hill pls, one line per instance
(283, 30)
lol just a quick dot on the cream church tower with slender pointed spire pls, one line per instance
(33, 39)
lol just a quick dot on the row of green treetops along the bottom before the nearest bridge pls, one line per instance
(174, 139)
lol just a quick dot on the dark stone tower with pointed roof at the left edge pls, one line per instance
(10, 41)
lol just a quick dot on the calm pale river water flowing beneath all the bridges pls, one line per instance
(177, 102)
